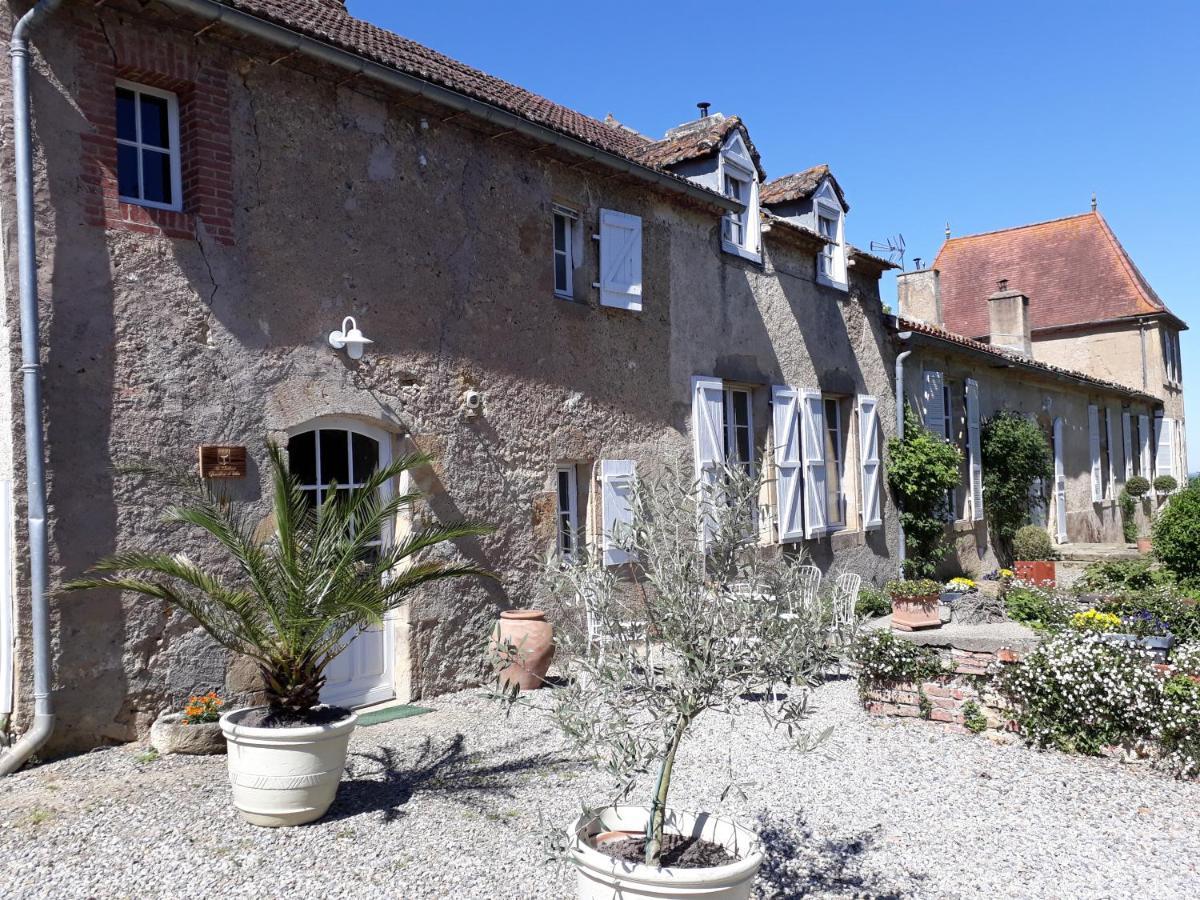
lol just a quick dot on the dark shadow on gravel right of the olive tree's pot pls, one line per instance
(796, 865)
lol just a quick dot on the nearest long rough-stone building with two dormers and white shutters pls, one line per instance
(555, 303)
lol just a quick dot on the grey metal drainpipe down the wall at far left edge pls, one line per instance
(31, 369)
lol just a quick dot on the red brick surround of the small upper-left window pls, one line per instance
(205, 131)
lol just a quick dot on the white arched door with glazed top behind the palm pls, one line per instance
(347, 454)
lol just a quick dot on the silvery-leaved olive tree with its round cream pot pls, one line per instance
(727, 623)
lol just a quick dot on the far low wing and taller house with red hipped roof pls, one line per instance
(1057, 322)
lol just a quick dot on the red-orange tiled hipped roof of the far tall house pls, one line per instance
(1073, 271)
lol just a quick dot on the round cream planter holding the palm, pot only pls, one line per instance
(285, 777)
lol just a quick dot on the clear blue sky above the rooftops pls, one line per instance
(986, 116)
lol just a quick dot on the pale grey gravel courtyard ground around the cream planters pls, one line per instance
(453, 805)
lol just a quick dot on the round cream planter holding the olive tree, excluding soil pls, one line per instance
(602, 878)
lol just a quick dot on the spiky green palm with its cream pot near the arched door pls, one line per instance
(292, 607)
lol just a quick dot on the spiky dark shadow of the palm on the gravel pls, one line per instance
(385, 781)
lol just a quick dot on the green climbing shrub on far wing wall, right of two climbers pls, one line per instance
(1015, 454)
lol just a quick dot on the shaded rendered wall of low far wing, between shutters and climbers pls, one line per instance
(1045, 400)
